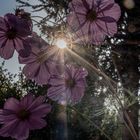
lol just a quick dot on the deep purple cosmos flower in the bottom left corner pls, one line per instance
(18, 117)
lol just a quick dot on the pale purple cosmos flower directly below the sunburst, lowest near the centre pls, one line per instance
(69, 87)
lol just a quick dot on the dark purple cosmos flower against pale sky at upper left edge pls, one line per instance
(13, 31)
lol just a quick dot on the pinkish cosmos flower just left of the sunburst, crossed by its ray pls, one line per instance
(39, 64)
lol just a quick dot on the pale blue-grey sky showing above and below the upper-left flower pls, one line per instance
(12, 64)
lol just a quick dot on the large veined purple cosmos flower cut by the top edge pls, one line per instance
(92, 20)
